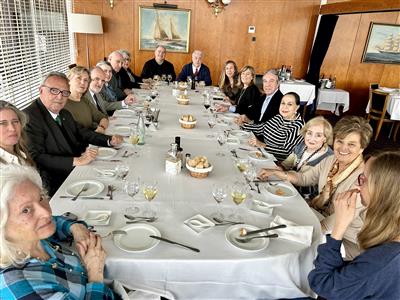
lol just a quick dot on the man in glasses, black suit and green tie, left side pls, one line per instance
(56, 142)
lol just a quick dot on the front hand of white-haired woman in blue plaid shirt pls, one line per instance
(93, 257)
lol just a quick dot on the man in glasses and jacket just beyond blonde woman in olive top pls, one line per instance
(97, 80)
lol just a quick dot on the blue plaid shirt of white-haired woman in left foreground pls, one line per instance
(61, 277)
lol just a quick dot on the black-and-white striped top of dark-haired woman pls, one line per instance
(279, 135)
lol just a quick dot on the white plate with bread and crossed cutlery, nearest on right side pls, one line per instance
(253, 245)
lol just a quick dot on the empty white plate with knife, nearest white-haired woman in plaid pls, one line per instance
(137, 238)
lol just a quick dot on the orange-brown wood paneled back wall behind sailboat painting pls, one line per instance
(284, 33)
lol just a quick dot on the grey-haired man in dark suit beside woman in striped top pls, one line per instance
(268, 106)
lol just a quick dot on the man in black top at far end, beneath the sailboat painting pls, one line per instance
(158, 65)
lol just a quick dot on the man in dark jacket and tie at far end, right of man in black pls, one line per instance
(196, 69)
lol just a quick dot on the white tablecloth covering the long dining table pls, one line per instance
(220, 270)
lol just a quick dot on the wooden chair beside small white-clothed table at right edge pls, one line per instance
(378, 102)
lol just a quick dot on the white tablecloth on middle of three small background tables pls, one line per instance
(331, 99)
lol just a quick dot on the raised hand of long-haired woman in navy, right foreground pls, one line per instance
(345, 211)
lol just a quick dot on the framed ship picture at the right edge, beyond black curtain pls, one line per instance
(383, 44)
